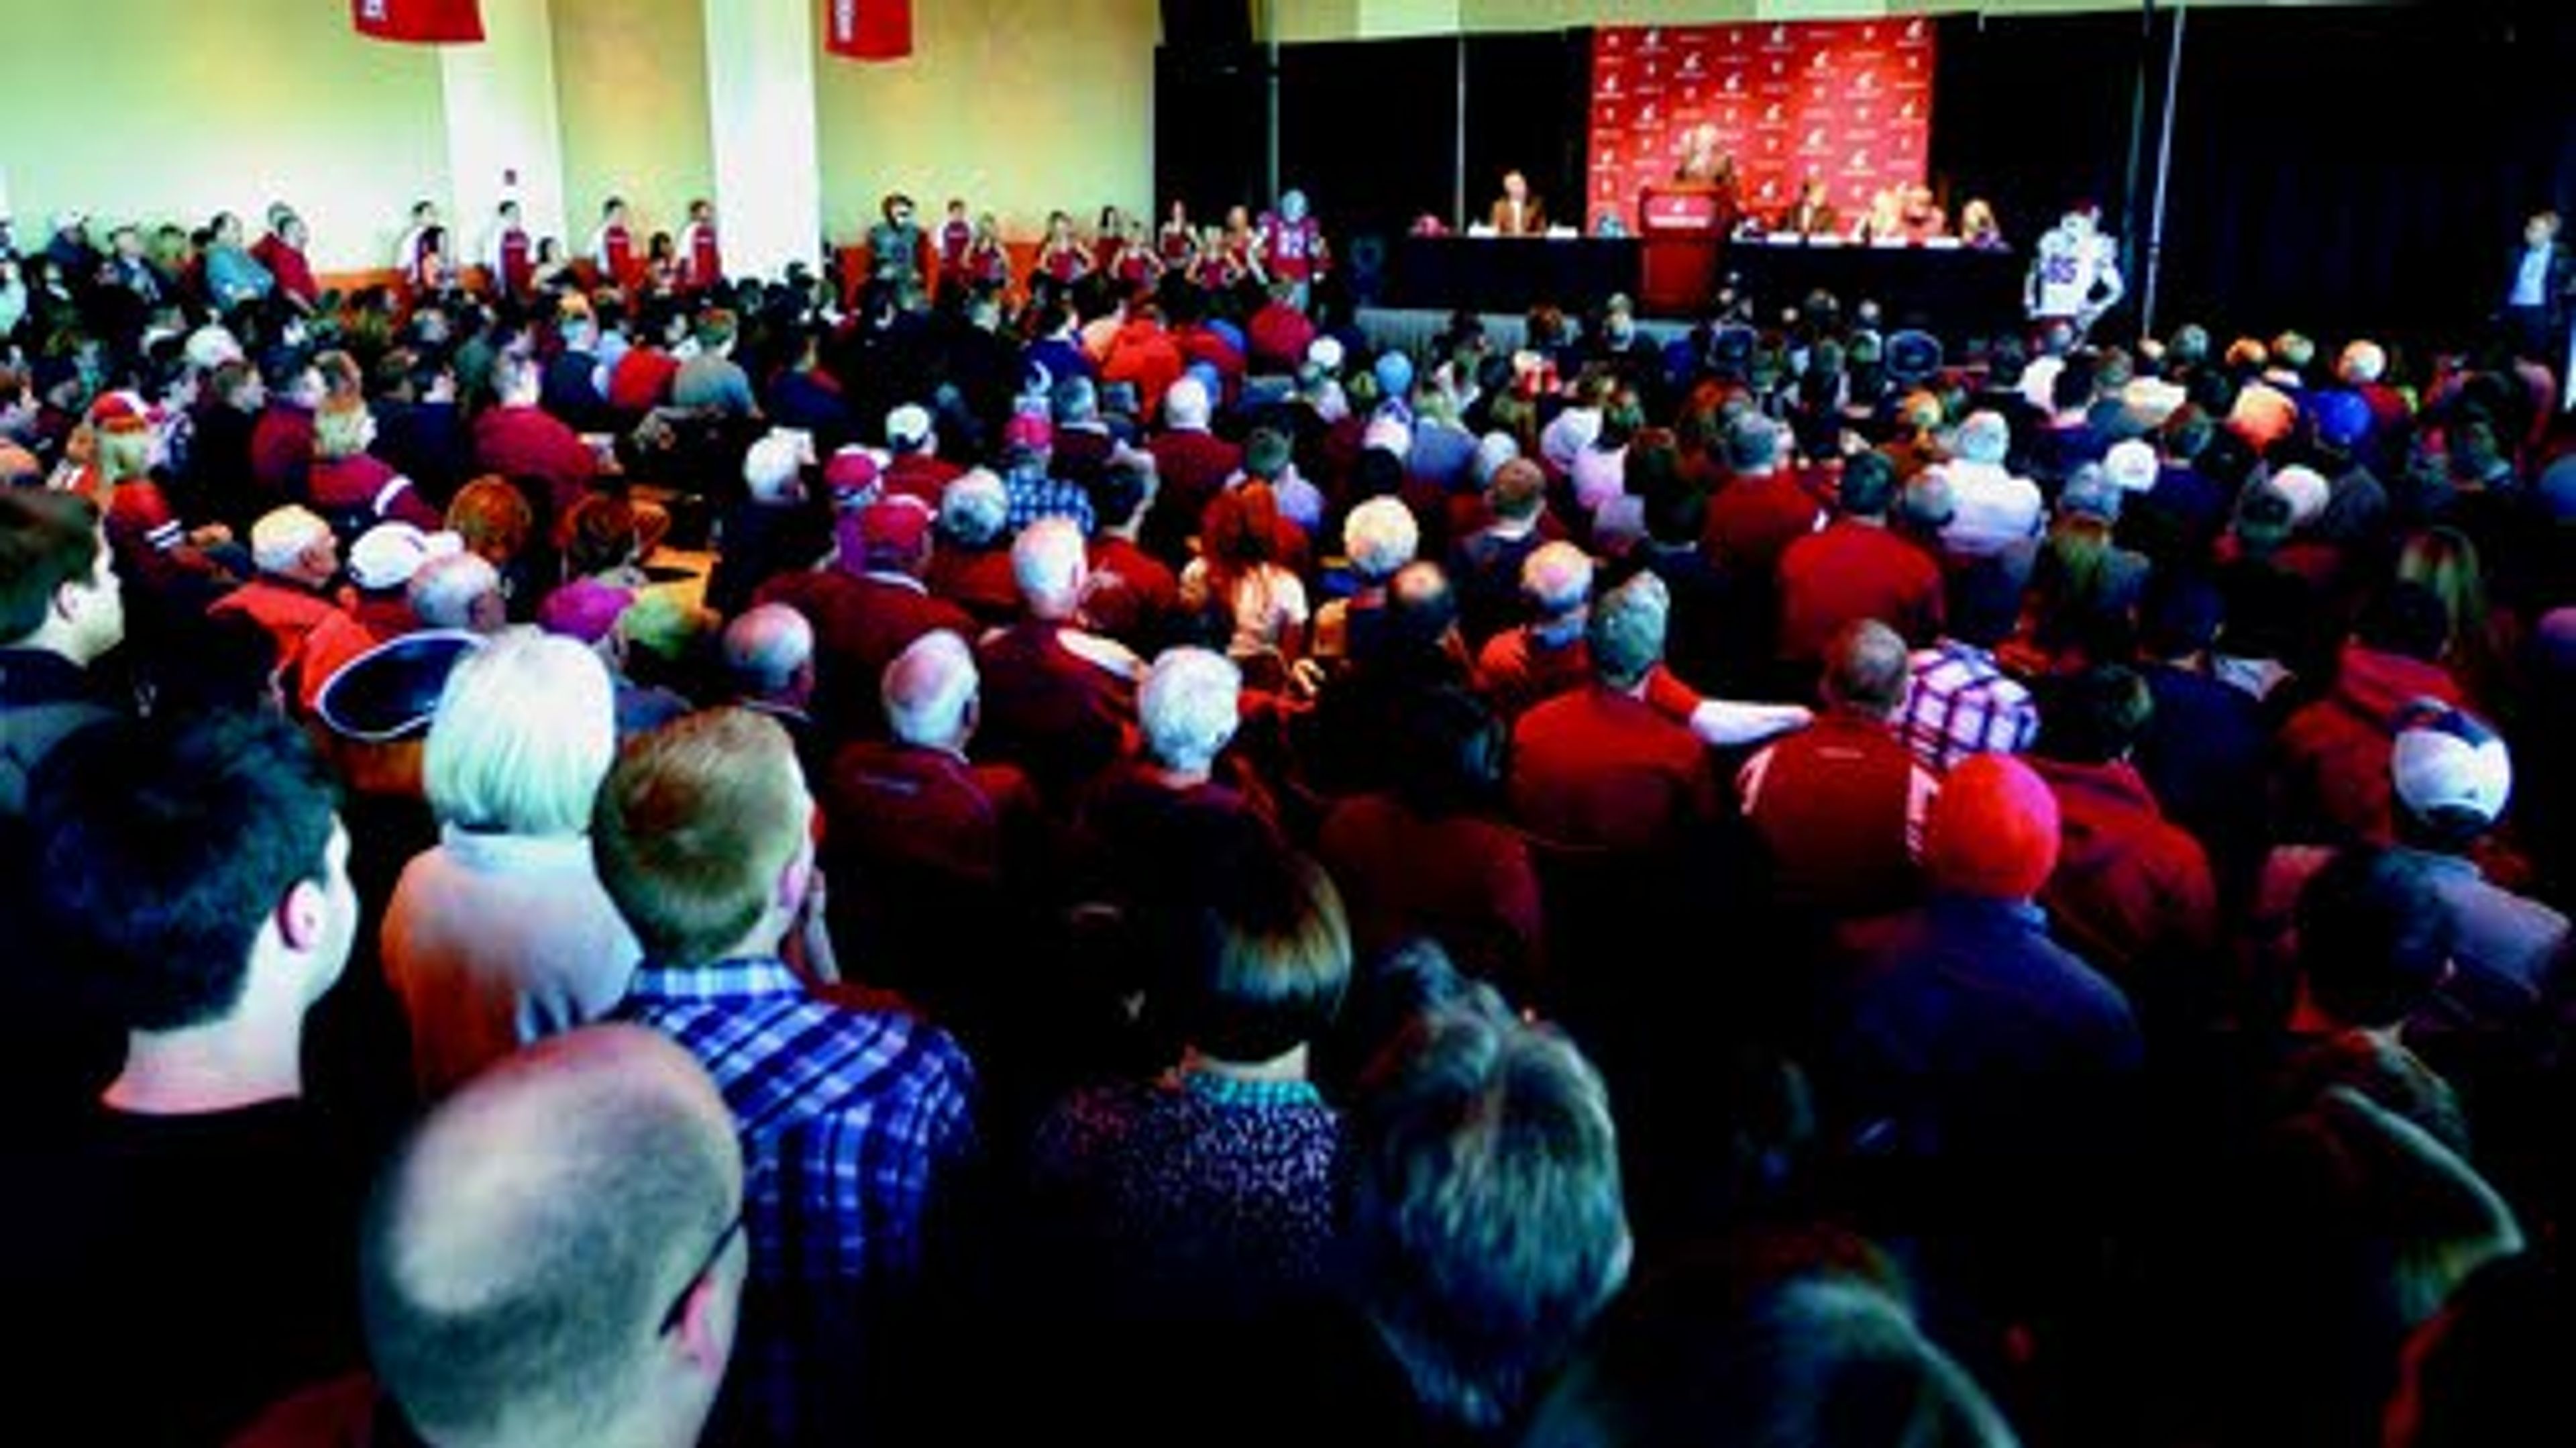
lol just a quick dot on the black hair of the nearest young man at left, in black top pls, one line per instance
(161, 854)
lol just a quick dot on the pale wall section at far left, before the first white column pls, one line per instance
(158, 110)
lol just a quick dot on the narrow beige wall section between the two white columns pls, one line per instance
(632, 97)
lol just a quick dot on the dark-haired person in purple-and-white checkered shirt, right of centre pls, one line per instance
(1959, 700)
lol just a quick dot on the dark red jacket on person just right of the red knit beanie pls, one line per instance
(2132, 893)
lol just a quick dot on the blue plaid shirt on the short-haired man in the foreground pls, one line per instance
(849, 1125)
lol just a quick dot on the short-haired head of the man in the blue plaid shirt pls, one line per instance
(694, 828)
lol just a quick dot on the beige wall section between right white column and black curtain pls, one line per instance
(1019, 107)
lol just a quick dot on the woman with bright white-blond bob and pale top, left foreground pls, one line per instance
(504, 934)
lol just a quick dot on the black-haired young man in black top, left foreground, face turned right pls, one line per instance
(200, 875)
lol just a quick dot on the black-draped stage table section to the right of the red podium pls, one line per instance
(1946, 290)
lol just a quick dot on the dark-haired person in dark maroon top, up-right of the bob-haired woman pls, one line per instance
(1428, 857)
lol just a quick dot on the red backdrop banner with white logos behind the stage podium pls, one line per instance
(1846, 102)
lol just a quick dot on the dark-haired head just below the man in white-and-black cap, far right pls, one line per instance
(2374, 939)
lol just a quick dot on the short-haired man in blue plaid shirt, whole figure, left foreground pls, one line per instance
(705, 841)
